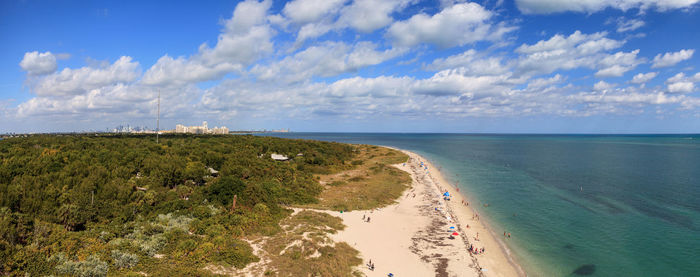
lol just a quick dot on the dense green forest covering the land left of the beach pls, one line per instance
(101, 204)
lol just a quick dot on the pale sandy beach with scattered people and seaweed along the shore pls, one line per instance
(412, 237)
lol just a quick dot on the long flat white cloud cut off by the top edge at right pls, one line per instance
(591, 6)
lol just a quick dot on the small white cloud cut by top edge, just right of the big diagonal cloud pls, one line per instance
(305, 11)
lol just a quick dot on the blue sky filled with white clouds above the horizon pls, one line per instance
(492, 66)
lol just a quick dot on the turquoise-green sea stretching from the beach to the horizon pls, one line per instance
(578, 204)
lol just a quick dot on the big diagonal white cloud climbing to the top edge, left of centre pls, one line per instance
(245, 39)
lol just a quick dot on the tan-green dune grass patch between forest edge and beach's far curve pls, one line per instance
(371, 183)
